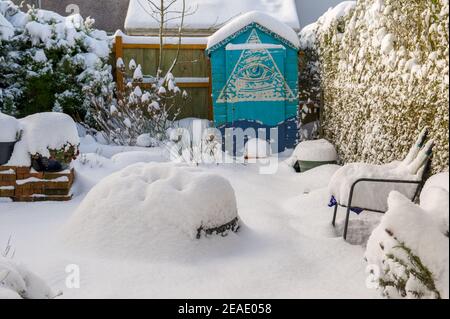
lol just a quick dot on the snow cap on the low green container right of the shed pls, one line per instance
(316, 151)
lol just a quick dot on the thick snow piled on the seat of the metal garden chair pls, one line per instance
(371, 195)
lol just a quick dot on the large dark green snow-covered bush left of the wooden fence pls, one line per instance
(48, 62)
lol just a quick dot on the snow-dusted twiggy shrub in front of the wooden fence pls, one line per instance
(125, 117)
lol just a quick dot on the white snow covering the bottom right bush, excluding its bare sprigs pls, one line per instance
(409, 224)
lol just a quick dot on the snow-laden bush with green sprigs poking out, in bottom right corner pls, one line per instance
(408, 254)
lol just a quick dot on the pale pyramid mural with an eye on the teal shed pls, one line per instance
(256, 77)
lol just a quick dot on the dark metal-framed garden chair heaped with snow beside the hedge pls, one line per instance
(359, 186)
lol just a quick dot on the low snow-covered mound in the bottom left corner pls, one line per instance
(17, 282)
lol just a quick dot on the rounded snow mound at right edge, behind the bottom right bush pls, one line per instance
(434, 199)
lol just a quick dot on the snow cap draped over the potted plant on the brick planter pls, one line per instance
(43, 132)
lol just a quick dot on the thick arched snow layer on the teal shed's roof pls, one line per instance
(266, 21)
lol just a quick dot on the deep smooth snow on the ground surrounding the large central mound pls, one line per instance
(286, 247)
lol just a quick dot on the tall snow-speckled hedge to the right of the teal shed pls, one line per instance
(383, 67)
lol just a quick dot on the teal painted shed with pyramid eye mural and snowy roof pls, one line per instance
(254, 69)
